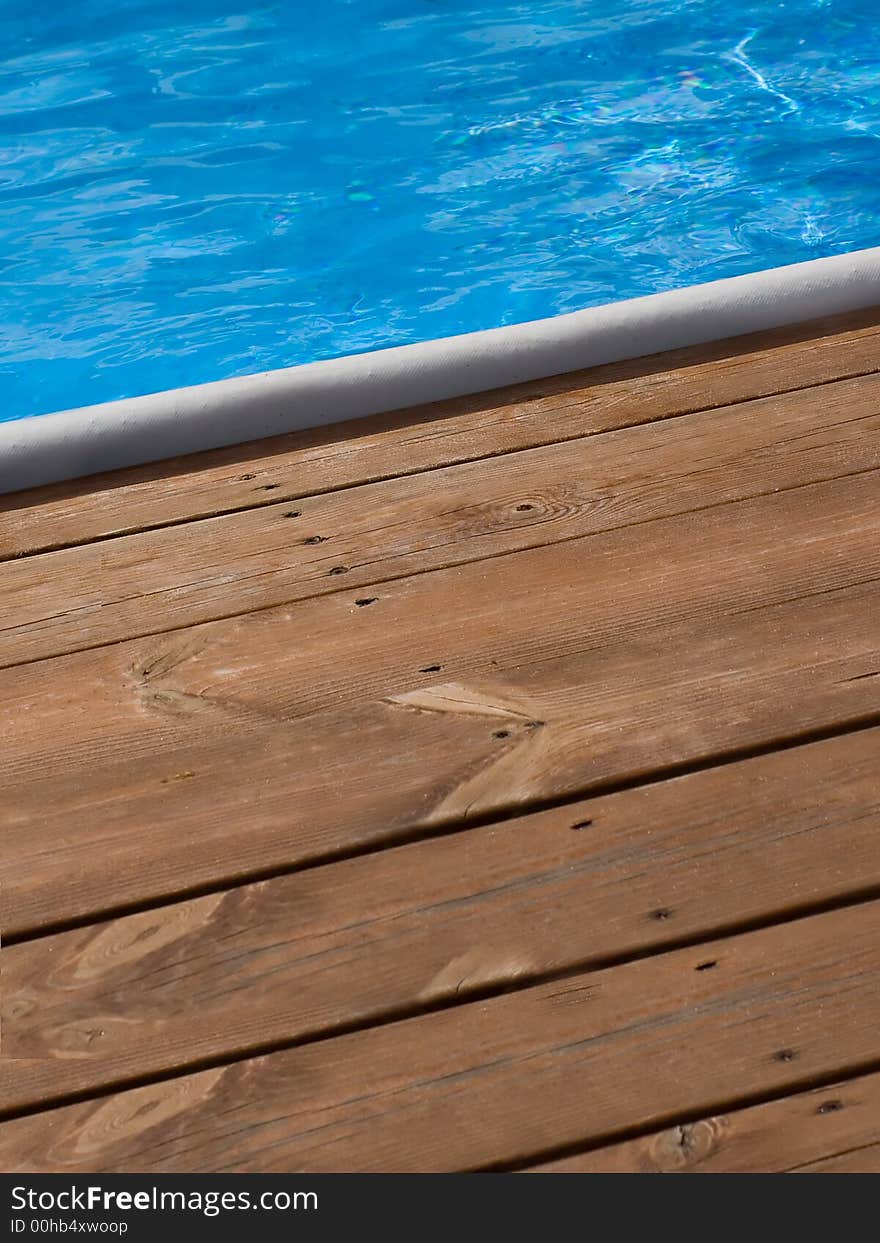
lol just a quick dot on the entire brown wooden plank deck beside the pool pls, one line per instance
(494, 786)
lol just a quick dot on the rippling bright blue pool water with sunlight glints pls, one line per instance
(193, 190)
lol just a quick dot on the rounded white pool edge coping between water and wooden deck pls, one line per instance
(71, 444)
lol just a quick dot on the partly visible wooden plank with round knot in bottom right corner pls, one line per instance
(832, 1129)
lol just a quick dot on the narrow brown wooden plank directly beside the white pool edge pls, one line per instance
(465, 429)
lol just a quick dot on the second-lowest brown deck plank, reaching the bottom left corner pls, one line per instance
(497, 1082)
